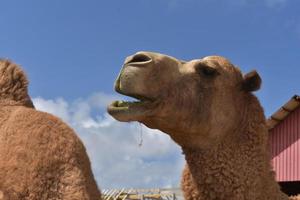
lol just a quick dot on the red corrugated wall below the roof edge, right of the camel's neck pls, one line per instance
(285, 148)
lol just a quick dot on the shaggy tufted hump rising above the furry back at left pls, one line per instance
(13, 84)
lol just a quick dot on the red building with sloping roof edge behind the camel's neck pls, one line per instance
(284, 128)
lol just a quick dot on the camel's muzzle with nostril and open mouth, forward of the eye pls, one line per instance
(143, 77)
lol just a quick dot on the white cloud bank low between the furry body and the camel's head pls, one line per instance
(117, 158)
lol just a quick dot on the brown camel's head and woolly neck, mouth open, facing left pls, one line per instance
(206, 106)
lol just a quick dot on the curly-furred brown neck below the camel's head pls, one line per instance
(238, 166)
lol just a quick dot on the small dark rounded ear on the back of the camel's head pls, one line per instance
(251, 82)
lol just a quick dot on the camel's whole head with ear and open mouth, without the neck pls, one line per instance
(196, 102)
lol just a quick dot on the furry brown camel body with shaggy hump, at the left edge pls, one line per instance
(41, 158)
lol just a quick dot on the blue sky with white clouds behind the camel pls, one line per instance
(72, 51)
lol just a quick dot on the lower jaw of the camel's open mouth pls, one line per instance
(126, 111)
